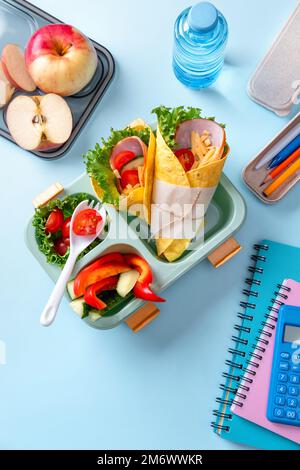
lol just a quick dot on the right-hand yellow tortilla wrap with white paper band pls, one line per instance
(190, 156)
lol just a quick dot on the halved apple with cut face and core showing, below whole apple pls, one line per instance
(39, 122)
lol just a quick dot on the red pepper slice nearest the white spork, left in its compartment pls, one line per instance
(94, 272)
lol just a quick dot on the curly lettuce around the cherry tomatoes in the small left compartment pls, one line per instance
(45, 240)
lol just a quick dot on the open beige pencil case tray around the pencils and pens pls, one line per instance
(254, 176)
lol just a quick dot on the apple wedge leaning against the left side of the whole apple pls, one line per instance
(14, 67)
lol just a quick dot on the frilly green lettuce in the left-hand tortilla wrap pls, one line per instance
(97, 161)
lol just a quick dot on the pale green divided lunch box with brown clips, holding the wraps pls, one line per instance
(224, 217)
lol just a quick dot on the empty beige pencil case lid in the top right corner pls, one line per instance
(276, 81)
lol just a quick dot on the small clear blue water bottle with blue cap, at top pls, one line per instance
(200, 38)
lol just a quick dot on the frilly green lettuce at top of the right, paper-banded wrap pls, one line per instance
(169, 118)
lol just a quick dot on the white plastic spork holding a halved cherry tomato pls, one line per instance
(77, 245)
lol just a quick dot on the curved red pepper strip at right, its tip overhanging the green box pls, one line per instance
(141, 289)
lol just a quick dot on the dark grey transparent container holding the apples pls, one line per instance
(19, 20)
